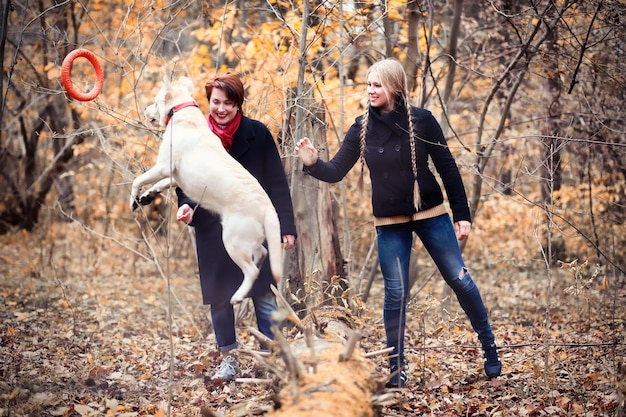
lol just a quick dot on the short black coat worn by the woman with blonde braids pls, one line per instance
(388, 157)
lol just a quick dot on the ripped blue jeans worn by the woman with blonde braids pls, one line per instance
(394, 251)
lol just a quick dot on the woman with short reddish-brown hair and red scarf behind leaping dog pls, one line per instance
(251, 143)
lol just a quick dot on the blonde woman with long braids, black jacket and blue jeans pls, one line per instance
(396, 141)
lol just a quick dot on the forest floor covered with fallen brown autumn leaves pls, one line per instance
(85, 331)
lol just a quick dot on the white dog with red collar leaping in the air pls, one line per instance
(192, 157)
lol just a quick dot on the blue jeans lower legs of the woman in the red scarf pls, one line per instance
(223, 318)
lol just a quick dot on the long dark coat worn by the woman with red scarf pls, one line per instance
(253, 146)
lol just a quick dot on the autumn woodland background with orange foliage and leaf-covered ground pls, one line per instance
(100, 307)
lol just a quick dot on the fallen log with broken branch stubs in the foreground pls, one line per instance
(327, 374)
